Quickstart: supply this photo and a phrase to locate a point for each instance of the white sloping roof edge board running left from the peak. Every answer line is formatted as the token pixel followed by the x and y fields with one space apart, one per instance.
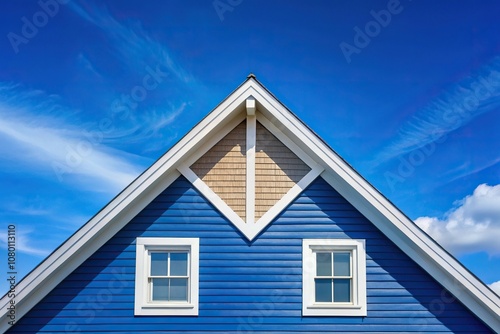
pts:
pixel 119 211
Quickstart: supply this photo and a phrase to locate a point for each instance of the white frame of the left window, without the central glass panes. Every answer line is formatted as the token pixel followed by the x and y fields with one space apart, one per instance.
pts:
pixel 143 305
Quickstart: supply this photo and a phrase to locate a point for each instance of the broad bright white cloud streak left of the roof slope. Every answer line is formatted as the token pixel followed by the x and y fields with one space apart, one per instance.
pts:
pixel 35 136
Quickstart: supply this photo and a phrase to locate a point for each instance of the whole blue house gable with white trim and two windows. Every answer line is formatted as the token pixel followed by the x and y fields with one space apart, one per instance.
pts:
pixel 250 224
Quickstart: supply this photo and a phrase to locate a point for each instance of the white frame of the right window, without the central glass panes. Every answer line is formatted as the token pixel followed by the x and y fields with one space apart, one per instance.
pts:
pixel 357 306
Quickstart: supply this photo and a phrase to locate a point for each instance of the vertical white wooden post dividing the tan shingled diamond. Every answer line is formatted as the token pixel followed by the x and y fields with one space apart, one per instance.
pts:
pixel 250 172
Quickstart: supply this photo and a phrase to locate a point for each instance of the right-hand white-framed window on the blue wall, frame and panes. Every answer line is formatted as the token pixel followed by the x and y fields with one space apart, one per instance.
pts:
pixel 333 277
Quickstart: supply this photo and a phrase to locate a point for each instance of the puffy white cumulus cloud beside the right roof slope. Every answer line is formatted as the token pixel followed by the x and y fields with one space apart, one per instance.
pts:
pixel 473 225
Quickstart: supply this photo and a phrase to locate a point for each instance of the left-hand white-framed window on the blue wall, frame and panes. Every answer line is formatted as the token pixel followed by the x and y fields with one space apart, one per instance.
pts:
pixel 166 281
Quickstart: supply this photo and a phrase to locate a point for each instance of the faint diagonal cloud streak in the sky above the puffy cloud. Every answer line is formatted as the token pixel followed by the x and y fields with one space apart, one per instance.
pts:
pixel 457 106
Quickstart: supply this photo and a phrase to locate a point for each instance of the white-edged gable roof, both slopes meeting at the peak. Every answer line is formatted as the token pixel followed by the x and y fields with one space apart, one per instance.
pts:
pixel 250 95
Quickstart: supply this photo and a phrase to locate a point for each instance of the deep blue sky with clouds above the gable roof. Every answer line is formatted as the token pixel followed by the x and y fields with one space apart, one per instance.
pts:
pixel 408 92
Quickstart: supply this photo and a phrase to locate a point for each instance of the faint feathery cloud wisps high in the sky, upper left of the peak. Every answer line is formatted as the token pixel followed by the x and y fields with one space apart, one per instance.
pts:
pixel 137 110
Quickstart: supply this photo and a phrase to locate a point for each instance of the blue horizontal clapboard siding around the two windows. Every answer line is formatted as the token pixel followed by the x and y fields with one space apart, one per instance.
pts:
pixel 248 287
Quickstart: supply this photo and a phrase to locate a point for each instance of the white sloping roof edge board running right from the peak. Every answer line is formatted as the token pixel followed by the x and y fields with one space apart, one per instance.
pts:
pixel 384 215
